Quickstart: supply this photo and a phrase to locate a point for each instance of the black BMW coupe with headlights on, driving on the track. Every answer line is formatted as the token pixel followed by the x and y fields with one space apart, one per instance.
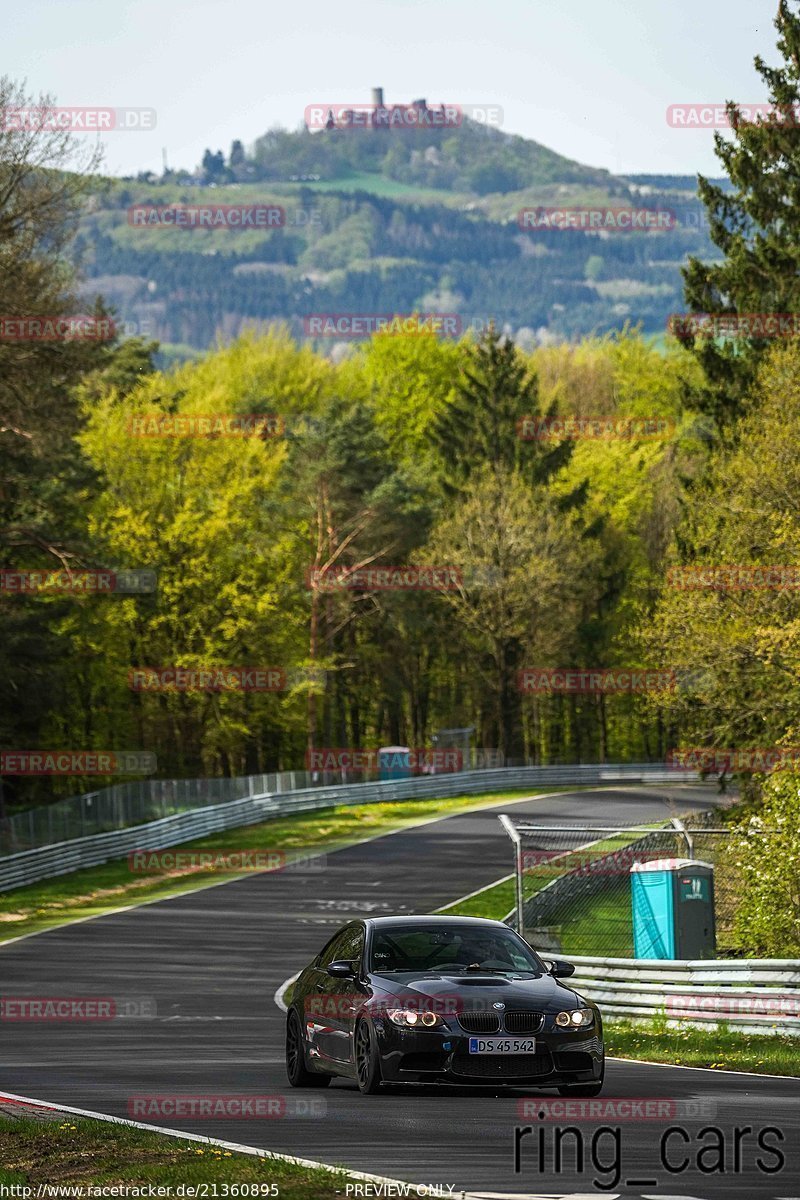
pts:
pixel 460 1000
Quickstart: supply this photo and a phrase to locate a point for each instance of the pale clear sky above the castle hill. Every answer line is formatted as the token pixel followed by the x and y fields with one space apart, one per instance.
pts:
pixel 590 79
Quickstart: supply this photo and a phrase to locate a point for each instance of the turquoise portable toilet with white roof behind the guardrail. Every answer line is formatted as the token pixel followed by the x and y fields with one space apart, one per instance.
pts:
pixel 672 902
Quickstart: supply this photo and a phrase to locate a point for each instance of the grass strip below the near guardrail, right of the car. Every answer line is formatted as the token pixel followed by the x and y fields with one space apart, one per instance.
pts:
pixel 724 1048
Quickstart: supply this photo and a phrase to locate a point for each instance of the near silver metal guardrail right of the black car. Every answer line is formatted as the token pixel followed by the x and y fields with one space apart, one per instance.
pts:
pixel 703 992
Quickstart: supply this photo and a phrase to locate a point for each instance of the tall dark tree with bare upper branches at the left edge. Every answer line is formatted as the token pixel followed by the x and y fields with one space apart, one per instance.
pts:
pixel 45 179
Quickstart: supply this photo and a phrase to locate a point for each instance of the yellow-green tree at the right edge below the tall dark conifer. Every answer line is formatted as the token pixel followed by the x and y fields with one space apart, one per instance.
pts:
pixel 741 645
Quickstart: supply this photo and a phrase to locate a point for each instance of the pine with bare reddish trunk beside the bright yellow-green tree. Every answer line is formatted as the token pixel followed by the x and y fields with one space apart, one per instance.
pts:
pixel 357 508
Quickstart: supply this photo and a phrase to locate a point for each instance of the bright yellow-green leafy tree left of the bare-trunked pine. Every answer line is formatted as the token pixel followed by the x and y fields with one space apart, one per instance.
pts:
pixel 206 513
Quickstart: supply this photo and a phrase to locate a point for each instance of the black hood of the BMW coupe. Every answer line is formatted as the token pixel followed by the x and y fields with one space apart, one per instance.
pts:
pixel 479 991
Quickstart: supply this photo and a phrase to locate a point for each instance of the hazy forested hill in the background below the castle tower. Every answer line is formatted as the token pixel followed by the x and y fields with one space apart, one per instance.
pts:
pixel 388 221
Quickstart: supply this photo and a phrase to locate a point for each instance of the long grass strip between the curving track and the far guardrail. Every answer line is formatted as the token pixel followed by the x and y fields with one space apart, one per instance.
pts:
pixel 100 890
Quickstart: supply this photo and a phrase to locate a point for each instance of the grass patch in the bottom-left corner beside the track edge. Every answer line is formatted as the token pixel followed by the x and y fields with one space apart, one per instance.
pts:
pixel 79 1153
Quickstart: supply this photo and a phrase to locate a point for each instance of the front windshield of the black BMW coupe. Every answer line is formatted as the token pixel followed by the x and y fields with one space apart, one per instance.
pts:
pixel 452 949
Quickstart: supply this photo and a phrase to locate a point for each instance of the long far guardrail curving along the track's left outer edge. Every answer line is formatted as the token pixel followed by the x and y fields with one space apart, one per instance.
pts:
pixel 61 859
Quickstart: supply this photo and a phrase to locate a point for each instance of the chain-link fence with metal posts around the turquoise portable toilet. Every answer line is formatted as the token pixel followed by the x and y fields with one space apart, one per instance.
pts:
pixel 574 883
